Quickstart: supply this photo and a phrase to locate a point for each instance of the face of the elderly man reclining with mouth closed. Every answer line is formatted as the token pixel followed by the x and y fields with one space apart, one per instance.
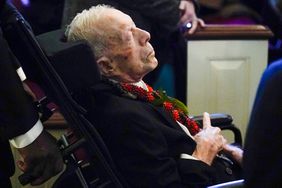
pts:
pixel 131 54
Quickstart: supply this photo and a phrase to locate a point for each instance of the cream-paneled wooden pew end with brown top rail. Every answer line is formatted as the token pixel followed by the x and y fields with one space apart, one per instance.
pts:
pixel 225 63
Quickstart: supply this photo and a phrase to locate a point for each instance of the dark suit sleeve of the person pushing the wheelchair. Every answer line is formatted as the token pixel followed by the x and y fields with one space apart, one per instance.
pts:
pixel 17 113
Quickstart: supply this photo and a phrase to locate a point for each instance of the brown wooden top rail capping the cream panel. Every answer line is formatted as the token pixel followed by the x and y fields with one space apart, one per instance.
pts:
pixel 222 32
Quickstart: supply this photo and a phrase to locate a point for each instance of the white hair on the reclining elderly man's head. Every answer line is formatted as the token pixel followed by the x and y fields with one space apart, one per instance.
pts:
pixel 85 26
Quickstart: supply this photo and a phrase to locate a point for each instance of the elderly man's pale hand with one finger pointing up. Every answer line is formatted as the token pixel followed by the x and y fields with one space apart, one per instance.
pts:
pixel 209 141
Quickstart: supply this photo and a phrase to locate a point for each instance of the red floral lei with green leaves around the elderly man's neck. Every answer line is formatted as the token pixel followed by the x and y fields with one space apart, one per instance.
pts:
pixel 174 107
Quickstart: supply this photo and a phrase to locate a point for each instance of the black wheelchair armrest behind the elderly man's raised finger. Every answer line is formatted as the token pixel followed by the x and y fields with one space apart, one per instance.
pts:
pixel 224 122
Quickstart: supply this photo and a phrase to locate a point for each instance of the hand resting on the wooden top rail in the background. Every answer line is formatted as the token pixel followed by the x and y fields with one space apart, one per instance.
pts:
pixel 188 14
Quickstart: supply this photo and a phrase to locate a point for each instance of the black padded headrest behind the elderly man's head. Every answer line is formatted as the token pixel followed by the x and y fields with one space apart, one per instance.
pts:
pixel 74 61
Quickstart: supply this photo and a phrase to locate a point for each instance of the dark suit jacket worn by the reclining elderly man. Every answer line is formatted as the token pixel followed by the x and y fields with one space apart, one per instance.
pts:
pixel 146 143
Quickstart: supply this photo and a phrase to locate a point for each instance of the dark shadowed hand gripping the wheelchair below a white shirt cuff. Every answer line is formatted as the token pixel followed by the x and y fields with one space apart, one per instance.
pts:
pixel 41 159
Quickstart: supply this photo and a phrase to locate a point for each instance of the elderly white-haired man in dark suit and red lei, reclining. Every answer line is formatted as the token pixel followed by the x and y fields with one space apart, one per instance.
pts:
pixel 150 137
